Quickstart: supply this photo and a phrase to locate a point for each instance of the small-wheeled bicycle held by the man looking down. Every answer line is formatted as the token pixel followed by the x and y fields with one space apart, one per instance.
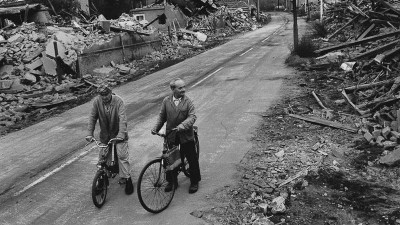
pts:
pixel 105 171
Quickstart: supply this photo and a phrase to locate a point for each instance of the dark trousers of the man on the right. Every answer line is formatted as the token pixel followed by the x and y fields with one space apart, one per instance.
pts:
pixel 188 150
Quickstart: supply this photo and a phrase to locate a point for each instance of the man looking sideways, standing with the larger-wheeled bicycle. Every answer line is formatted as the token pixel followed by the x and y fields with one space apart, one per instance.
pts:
pixel 177 111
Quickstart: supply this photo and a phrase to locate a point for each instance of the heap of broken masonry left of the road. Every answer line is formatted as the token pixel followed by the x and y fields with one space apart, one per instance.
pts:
pixel 34 58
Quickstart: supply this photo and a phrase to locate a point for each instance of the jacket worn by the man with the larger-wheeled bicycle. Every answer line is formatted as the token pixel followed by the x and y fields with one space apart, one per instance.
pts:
pixel 182 115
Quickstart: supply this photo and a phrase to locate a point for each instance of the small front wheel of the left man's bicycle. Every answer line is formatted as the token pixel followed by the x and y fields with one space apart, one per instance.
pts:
pixel 99 188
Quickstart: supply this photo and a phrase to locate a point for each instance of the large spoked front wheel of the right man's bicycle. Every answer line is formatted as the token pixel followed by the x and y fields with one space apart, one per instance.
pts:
pixel 150 188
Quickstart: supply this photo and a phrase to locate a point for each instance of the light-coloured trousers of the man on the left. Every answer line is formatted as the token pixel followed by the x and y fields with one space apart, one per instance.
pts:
pixel 123 158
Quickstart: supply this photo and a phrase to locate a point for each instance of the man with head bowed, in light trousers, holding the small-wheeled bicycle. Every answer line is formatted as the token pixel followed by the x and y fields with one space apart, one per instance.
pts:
pixel 109 109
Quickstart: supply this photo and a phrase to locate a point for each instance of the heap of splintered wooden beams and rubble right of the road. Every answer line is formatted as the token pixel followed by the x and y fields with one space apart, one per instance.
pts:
pixel 362 54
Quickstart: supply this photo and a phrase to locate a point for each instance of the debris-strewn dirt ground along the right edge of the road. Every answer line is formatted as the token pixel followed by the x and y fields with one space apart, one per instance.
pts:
pixel 340 183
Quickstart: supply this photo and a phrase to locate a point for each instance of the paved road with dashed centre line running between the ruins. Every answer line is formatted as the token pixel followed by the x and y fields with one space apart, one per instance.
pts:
pixel 46 172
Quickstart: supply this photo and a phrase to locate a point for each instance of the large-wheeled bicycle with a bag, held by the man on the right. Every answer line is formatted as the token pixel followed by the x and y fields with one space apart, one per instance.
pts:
pixel 152 179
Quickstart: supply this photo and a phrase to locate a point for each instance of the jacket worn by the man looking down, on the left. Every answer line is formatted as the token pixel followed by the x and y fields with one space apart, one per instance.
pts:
pixel 116 126
